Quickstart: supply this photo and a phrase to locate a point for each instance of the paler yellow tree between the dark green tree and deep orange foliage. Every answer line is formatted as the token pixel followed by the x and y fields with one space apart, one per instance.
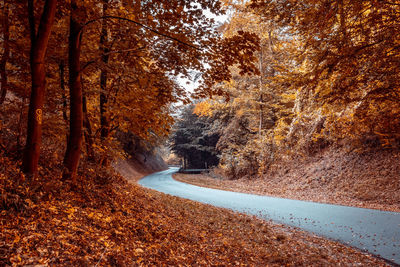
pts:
pixel 258 110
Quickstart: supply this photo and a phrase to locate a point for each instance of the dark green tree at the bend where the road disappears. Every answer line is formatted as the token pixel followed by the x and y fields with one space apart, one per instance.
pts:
pixel 194 140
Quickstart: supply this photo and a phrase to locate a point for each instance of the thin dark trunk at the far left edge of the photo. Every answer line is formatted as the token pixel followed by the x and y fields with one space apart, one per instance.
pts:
pixel 6 53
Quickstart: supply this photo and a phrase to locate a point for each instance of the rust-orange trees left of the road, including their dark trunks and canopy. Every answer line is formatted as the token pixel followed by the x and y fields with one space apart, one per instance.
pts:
pixel 102 67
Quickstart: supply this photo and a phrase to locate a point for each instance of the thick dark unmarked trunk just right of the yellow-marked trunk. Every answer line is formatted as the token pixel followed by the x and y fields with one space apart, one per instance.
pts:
pixel 73 152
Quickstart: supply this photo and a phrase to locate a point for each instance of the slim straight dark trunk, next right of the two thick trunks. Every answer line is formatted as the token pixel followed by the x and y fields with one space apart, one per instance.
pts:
pixel 104 119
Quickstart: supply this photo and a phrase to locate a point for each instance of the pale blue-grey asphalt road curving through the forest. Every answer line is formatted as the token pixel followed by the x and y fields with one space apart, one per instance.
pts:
pixel 377 232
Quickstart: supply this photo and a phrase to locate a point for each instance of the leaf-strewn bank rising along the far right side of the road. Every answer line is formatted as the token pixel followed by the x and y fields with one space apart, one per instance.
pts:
pixel 367 180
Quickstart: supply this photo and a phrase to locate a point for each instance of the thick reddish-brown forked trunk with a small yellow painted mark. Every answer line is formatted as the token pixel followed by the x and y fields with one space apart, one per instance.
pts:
pixel 39 43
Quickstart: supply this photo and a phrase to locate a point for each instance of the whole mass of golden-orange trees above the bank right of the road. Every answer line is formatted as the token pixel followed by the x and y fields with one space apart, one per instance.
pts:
pixel 327 73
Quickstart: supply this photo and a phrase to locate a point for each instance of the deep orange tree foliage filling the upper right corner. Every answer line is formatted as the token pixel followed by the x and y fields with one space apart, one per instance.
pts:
pixel 349 62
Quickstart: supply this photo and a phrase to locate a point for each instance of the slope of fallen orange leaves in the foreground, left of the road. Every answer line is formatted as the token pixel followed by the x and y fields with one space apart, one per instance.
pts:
pixel 104 220
